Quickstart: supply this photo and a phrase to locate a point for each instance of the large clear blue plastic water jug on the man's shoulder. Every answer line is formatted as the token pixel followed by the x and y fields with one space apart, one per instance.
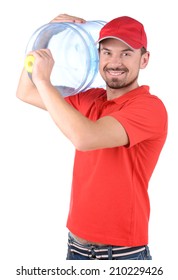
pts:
pixel 75 53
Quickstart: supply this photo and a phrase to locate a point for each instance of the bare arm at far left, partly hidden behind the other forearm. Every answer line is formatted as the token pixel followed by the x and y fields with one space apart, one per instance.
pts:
pixel 27 91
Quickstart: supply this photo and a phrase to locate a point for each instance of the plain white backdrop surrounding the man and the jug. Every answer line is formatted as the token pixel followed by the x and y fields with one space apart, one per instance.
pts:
pixel 35 158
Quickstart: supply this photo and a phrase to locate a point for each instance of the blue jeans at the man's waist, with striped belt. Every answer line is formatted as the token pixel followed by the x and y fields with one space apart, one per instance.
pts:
pixel 78 251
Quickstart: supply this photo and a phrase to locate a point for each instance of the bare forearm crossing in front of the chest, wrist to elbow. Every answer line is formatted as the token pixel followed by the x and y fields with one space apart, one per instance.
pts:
pixel 72 123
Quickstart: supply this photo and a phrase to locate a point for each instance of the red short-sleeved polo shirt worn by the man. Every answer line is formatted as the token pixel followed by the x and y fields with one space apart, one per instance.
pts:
pixel 109 198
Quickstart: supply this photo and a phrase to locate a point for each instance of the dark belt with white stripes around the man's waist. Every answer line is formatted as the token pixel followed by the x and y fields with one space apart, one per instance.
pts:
pixel 102 252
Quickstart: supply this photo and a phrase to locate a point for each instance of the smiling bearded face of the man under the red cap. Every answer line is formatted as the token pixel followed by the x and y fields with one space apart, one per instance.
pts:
pixel 120 65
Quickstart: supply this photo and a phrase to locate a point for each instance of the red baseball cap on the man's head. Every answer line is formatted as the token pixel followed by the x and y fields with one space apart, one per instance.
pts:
pixel 126 29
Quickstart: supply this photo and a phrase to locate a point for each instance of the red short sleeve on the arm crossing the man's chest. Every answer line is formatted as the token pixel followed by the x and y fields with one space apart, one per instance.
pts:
pixel 143 118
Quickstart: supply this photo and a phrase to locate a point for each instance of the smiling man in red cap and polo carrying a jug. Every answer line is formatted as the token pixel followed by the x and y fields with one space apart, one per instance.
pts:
pixel 118 134
